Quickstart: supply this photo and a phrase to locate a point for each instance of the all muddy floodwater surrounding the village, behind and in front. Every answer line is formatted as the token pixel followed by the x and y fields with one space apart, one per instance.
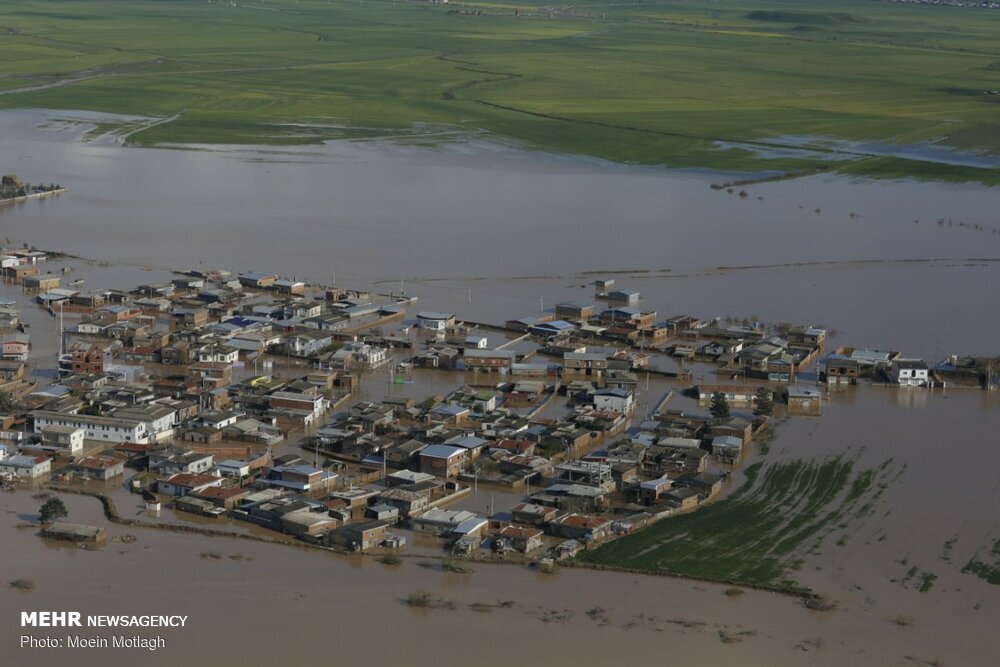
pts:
pixel 523 231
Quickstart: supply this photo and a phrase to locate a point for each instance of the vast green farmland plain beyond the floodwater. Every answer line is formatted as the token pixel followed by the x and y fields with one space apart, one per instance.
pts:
pixel 647 83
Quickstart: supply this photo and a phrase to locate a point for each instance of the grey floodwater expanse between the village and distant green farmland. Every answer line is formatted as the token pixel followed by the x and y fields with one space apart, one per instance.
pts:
pixel 492 232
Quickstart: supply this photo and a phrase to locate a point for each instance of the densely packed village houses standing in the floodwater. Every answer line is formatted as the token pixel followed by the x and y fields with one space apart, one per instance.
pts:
pixel 155 392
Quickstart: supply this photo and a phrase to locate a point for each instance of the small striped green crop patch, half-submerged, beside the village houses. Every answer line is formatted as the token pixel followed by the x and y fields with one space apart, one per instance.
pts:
pixel 759 534
